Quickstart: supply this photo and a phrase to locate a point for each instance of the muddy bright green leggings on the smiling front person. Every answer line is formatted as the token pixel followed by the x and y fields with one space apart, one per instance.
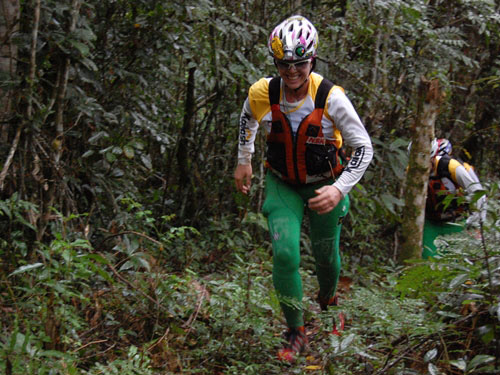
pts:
pixel 284 208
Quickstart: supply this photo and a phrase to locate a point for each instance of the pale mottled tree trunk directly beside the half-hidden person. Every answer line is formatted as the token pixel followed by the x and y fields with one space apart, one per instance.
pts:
pixel 429 98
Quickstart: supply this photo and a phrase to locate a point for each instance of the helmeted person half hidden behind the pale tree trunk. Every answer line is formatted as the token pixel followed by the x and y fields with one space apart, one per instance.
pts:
pixel 449 175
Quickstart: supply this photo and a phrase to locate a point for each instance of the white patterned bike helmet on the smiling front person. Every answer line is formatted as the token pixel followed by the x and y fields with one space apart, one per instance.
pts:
pixel 293 39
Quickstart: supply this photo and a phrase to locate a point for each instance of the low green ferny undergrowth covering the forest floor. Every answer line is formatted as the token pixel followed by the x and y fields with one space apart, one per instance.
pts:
pixel 186 301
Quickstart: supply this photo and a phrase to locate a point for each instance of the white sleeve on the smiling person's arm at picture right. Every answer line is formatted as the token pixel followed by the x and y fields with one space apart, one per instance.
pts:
pixel 354 135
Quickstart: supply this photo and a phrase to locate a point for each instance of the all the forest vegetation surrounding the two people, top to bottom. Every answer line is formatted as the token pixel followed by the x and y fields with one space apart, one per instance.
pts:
pixel 124 247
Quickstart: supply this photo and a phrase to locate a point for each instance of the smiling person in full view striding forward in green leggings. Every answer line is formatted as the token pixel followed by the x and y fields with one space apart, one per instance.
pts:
pixel 307 120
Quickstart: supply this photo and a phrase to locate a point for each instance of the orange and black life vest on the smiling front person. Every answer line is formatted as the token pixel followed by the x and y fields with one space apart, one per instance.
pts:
pixel 308 153
